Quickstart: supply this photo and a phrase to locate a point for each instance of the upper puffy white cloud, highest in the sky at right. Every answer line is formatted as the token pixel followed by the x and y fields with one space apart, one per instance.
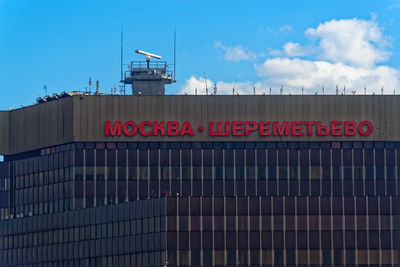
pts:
pixel 351 41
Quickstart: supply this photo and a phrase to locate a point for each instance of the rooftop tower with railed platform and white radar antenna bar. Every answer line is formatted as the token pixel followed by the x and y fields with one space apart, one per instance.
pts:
pixel 148 78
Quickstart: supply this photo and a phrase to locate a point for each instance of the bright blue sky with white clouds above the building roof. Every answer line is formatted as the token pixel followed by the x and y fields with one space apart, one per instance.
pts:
pixel 262 44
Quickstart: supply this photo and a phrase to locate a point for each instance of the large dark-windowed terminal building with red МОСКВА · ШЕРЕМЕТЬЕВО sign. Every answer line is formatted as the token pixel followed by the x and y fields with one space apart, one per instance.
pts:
pixel 156 180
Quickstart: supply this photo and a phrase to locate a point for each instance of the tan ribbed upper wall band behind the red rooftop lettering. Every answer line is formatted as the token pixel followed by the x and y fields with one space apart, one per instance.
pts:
pixel 83 118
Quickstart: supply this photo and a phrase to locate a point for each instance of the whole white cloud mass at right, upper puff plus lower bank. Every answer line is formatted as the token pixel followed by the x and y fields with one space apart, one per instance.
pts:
pixel 348 52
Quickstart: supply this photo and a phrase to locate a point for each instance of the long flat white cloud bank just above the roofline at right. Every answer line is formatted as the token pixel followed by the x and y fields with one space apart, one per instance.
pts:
pixel 296 72
